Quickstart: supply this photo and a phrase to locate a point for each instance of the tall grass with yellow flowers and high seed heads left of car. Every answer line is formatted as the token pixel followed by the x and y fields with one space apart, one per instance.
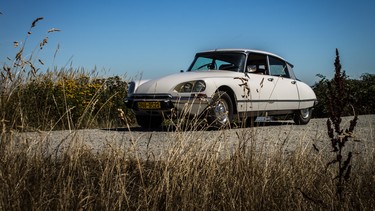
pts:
pixel 34 97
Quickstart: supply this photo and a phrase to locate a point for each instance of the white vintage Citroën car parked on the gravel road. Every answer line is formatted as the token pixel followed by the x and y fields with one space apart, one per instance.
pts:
pixel 222 86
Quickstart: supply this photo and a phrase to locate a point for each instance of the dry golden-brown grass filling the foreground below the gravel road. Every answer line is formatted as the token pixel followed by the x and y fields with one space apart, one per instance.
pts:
pixel 193 175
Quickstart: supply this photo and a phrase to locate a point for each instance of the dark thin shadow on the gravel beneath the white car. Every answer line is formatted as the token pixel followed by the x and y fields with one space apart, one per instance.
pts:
pixel 174 129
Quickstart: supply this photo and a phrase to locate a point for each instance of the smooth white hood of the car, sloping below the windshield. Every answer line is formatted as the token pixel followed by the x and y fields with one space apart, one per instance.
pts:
pixel 168 83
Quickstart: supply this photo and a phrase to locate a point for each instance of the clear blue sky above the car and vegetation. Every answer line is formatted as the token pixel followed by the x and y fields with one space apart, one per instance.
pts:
pixel 157 38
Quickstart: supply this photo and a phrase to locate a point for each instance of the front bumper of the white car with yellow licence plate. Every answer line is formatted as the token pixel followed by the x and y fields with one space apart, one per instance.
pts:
pixel 194 104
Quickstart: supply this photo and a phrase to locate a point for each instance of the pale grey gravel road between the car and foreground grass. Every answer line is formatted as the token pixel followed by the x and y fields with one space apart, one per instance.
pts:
pixel 270 135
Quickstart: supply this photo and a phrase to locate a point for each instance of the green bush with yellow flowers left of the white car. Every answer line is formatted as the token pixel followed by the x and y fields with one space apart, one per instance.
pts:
pixel 66 100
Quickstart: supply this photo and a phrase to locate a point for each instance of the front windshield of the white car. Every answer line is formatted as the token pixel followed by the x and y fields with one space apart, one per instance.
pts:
pixel 218 61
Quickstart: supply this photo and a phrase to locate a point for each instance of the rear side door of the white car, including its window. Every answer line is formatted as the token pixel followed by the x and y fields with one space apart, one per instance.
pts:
pixel 285 84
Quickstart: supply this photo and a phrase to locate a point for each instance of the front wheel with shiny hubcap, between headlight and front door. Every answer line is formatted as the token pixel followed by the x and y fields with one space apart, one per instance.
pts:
pixel 220 114
